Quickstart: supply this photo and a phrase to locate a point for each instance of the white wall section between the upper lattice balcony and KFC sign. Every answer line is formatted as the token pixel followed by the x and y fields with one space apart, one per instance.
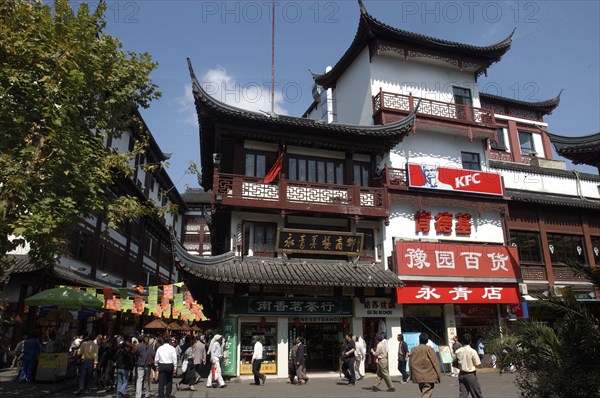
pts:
pixel 435 149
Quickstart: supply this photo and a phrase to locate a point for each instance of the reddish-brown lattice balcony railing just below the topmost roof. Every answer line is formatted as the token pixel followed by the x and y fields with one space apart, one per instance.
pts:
pixel 391 102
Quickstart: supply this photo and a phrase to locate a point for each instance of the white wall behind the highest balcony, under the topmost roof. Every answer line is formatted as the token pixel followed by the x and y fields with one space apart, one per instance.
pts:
pixel 434 82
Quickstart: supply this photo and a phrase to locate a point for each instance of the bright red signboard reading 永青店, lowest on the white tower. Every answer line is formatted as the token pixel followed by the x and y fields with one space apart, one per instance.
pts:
pixel 457 293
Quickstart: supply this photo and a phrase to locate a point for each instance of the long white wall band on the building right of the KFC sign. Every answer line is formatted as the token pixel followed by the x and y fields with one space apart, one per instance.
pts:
pixel 549 184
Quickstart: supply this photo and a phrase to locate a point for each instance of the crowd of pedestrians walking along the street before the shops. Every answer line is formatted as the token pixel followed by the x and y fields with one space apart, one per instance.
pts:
pixel 111 363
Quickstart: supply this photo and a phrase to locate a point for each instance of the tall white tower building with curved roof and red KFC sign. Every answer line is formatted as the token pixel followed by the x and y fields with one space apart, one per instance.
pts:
pixel 447 232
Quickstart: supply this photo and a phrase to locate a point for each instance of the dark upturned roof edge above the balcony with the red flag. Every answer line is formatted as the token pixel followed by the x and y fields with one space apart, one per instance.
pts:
pixel 210 103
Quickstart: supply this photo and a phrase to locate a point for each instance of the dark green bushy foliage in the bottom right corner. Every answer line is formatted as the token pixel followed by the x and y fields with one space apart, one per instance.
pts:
pixel 555 363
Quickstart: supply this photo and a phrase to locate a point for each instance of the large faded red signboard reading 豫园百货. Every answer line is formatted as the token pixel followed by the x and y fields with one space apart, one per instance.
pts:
pixel 451 259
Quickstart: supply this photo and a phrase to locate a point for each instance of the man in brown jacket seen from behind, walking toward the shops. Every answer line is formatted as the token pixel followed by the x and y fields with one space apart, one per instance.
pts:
pixel 424 366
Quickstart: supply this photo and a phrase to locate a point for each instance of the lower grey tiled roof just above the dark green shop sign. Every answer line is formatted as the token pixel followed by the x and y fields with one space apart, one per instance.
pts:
pixel 228 268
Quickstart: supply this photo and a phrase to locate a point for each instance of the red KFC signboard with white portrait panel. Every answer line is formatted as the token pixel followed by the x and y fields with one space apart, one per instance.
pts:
pixel 453 179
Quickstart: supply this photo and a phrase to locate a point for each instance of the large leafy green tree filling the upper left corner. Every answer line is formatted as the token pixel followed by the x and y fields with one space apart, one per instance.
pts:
pixel 66 89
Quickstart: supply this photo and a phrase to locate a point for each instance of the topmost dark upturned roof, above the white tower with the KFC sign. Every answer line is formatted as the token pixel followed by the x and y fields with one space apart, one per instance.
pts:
pixel 370 28
